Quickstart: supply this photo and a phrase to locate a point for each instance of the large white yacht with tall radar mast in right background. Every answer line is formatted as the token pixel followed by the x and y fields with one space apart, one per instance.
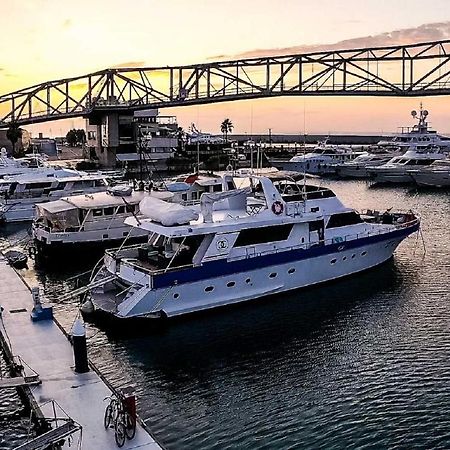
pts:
pixel 420 135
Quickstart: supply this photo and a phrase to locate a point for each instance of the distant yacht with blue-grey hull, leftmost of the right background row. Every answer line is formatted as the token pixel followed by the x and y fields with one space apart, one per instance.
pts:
pixel 321 160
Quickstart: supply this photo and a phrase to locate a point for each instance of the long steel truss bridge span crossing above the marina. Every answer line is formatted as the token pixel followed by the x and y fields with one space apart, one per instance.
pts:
pixel 421 69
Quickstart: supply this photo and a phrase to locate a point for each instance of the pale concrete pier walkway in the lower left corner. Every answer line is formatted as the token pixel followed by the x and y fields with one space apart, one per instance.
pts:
pixel 44 347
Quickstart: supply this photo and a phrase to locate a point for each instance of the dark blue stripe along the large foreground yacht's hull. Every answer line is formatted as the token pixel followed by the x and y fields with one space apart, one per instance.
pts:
pixel 222 267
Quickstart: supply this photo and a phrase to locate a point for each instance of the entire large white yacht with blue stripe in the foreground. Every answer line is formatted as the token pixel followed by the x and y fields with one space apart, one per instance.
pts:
pixel 273 236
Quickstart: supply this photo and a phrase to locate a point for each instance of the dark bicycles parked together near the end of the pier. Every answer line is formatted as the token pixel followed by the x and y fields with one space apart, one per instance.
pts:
pixel 124 423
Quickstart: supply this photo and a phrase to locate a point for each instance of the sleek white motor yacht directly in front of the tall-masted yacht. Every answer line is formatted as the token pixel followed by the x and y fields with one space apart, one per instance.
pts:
pixel 396 169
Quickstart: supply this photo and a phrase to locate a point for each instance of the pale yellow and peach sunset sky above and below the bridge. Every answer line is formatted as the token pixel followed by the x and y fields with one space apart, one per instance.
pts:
pixel 51 39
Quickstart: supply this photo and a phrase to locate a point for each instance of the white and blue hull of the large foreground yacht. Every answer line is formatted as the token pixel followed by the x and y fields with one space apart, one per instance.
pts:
pixel 249 279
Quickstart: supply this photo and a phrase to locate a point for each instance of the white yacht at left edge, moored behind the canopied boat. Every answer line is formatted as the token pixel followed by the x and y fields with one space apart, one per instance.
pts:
pixel 19 194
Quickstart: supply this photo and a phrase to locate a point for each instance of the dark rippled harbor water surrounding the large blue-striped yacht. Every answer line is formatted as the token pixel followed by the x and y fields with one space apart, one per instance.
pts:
pixel 360 363
